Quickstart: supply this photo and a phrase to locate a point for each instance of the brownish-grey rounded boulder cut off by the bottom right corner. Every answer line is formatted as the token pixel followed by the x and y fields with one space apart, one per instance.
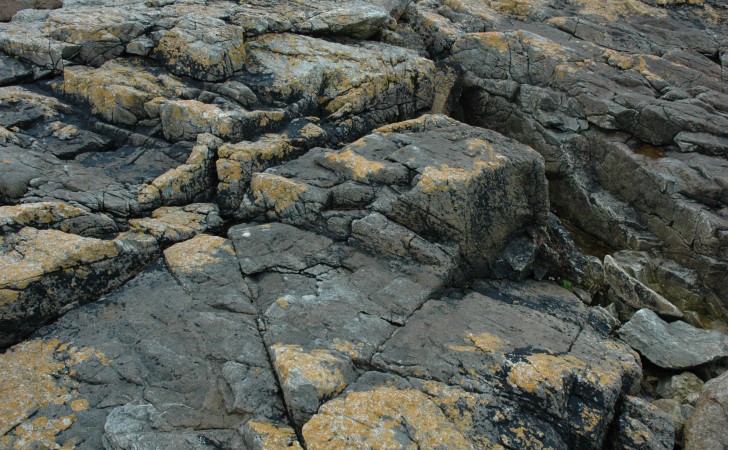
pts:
pixel 706 429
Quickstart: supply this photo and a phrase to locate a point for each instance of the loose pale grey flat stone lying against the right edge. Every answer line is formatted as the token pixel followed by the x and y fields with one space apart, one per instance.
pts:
pixel 675 345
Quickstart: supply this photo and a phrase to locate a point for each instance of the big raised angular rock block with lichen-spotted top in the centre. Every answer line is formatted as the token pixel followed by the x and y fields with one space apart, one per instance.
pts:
pixel 445 181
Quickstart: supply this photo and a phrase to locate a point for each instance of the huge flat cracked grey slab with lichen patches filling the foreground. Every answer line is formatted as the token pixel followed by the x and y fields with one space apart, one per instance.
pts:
pixel 238 343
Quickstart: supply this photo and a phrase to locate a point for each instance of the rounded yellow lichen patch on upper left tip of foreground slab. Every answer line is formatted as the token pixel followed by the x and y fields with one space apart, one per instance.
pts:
pixel 190 256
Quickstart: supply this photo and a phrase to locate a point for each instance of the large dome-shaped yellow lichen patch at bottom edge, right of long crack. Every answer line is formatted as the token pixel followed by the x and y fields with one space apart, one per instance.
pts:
pixel 384 417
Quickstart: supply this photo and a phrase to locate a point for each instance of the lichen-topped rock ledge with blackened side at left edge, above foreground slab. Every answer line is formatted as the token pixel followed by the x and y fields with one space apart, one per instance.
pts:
pixel 46 271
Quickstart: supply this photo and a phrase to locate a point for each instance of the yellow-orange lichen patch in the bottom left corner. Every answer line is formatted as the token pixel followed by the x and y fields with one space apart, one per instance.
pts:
pixel 34 375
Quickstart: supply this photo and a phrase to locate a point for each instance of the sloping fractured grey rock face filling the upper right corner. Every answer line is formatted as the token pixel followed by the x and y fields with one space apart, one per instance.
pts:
pixel 626 101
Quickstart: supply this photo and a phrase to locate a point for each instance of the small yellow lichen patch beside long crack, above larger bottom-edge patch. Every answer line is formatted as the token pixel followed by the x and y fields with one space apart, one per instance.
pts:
pixel 318 368
